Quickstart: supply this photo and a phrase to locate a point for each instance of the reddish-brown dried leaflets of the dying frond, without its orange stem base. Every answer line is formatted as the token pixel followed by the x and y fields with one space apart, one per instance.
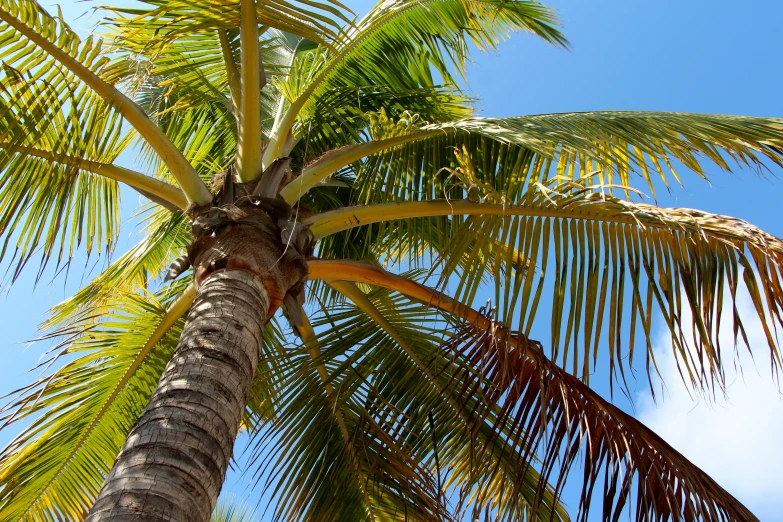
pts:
pixel 562 419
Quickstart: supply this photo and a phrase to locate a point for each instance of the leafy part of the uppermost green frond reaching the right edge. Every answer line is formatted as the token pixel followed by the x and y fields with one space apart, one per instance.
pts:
pixel 631 149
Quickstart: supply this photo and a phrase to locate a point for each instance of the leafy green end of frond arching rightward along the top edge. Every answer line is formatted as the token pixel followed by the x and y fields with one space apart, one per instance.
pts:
pixel 404 31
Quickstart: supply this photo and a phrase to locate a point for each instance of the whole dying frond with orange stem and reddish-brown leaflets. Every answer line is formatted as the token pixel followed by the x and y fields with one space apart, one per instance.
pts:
pixel 556 417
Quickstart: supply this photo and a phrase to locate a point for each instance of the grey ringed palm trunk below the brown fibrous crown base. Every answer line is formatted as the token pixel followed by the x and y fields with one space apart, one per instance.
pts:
pixel 174 461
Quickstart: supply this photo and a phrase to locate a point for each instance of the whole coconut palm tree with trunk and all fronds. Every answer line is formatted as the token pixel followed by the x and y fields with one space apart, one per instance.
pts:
pixel 329 166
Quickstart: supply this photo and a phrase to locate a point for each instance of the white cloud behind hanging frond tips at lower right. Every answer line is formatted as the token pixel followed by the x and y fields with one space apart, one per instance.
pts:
pixel 737 439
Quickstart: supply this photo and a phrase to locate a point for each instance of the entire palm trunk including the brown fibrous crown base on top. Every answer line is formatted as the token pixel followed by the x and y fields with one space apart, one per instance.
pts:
pixel 248 256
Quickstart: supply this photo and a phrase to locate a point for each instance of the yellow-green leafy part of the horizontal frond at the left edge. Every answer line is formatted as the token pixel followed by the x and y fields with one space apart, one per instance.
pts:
pixel 47 200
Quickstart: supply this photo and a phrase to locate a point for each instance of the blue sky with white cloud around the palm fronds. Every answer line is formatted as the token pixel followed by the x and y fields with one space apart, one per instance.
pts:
pixel 695 56
